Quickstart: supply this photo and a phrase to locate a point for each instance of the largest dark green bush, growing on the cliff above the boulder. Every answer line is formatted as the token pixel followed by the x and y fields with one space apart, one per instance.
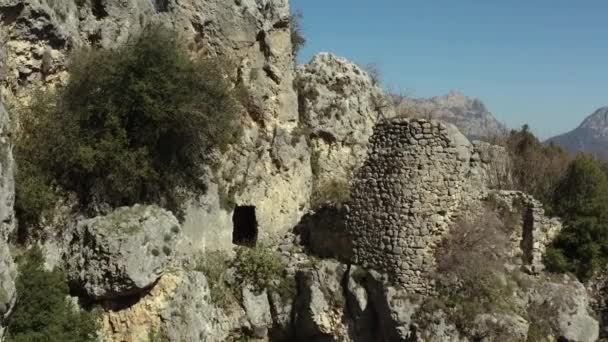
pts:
pixel 135 124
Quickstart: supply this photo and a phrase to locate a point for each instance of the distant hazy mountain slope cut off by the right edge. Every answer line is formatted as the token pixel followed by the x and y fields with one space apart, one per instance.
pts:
pixel 590 137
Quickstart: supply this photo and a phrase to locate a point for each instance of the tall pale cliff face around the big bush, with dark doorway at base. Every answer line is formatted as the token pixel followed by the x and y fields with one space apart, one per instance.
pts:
pixel 252 36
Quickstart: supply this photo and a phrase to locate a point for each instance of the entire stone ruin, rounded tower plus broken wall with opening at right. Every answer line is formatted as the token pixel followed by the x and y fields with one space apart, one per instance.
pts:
pixel 419 175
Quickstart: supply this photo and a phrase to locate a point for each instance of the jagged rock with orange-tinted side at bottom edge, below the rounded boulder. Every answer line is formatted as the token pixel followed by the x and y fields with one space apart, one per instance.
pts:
pixel 178 308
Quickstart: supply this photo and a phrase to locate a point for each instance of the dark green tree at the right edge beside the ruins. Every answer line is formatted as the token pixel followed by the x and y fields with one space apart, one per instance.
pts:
pixel 581 199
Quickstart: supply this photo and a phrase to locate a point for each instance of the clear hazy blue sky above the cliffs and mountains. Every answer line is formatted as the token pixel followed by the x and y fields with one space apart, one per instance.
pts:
pixel 542 62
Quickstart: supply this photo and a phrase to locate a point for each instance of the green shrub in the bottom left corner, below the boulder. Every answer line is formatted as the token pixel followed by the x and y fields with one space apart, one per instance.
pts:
pixel 42 312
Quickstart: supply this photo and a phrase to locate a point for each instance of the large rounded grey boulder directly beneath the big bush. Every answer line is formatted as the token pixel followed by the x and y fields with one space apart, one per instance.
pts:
pixel 122 253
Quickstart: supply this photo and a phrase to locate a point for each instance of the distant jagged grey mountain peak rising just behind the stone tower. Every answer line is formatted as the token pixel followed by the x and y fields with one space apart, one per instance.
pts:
pixel 470 115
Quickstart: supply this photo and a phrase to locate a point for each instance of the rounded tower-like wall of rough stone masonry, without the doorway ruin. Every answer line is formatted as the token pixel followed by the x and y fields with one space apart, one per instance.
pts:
pixel 404 196
